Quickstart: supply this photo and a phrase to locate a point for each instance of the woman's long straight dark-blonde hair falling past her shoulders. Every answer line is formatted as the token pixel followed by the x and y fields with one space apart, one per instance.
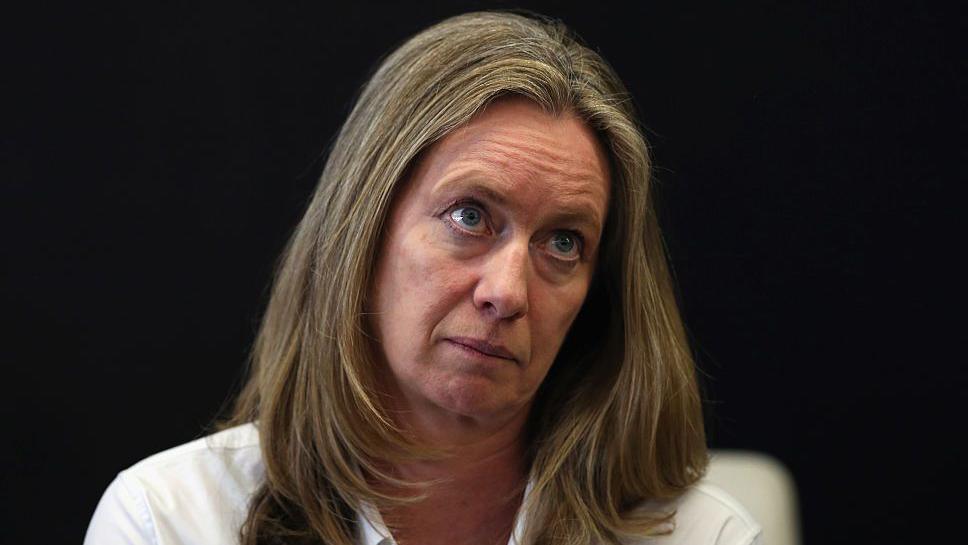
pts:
pixel 618 419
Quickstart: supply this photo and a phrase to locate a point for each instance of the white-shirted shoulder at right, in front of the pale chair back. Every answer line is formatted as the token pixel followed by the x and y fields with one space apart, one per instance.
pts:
pixel 706 514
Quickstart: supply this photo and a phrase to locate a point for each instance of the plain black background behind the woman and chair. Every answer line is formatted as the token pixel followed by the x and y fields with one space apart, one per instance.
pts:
pixel 156 159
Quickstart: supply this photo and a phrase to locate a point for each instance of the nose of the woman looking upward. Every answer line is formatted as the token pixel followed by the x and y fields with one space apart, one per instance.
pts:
pixel 502 289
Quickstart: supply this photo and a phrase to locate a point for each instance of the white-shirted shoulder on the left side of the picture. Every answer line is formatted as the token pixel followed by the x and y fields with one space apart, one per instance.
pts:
pixel 197 492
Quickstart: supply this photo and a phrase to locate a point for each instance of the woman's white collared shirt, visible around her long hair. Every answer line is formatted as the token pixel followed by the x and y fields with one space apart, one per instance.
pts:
pixel 198 494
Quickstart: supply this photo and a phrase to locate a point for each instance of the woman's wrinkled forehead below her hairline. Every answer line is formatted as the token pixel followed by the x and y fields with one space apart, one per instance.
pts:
pixel 516 150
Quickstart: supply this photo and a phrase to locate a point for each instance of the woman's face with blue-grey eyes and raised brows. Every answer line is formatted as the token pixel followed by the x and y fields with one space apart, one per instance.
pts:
pixel 488 255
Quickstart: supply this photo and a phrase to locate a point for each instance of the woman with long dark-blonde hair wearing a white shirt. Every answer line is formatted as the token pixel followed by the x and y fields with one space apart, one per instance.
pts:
pixel 472 337
